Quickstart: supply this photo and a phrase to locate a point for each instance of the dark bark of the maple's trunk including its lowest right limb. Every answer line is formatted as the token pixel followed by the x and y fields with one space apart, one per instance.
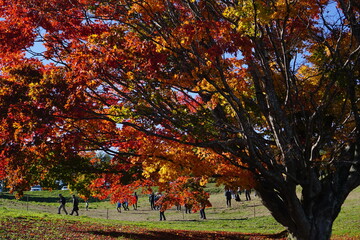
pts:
pixel 312 216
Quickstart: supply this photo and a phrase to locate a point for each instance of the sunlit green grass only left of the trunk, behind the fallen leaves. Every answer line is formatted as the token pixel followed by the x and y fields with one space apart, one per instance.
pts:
pixel 221 219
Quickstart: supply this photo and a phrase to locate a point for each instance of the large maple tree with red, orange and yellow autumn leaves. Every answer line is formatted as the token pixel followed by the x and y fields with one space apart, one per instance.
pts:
pixel 253 93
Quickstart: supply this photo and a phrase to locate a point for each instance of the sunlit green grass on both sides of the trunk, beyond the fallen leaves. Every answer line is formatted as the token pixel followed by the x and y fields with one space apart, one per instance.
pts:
pixel 244 217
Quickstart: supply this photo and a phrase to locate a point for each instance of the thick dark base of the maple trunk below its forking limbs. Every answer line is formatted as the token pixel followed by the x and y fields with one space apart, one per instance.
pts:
pixel 305 220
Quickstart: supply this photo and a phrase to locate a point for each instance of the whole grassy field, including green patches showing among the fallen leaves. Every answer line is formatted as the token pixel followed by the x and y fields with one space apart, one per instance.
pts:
pixel 246 217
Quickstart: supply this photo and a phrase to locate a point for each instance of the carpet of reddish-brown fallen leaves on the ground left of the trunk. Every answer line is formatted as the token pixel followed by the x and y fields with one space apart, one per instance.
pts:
pixel 33 228
